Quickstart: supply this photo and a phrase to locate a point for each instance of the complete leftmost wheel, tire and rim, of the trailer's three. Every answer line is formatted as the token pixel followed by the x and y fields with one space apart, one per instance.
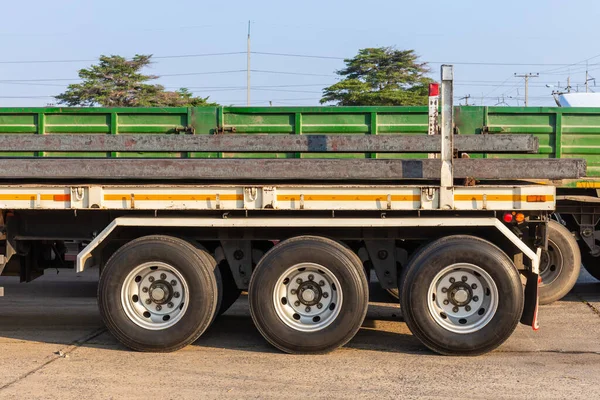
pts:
pixel 158 293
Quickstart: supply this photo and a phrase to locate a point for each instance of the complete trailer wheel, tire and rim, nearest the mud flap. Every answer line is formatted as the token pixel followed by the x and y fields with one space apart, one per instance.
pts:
pixel 461 295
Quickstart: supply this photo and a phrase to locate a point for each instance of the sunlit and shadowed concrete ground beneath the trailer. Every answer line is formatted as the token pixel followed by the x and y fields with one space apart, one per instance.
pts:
pixel 53 345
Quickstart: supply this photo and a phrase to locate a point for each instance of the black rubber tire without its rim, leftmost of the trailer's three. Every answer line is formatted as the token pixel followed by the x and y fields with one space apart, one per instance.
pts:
pixel 196 270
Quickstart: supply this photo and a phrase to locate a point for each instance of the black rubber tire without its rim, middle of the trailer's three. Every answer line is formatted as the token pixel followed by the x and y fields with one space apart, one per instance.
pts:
pixel 341 261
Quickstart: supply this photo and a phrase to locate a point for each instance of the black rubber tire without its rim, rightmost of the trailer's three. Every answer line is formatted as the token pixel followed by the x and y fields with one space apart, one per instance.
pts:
pixel 428 262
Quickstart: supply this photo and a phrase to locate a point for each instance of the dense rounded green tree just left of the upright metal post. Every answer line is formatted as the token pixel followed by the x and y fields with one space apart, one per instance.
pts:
pixel 381 76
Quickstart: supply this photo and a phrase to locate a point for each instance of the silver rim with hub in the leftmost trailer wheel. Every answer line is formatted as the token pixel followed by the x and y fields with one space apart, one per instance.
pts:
pixel 154 295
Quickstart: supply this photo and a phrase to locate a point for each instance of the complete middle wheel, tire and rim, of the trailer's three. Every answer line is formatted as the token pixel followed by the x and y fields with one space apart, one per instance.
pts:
pixel 308 295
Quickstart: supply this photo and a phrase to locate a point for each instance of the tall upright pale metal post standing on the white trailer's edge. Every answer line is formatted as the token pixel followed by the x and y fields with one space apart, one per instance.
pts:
pixel 446 153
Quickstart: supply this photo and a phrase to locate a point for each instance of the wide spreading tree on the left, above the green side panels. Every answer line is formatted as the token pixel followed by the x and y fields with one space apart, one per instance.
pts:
pixel 118 82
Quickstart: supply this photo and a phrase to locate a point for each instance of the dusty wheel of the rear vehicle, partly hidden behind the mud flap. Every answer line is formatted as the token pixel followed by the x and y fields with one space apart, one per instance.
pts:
pixel 559 265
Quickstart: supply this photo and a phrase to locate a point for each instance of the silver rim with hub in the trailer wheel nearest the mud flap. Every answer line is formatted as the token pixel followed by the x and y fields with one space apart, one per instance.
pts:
pixel 463 298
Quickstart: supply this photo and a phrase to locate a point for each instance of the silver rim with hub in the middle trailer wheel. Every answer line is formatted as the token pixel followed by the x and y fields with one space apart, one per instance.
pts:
pixel 307 297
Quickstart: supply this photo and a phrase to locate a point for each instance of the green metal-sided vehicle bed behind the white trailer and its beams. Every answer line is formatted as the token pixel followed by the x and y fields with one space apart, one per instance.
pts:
pixel 561 133
